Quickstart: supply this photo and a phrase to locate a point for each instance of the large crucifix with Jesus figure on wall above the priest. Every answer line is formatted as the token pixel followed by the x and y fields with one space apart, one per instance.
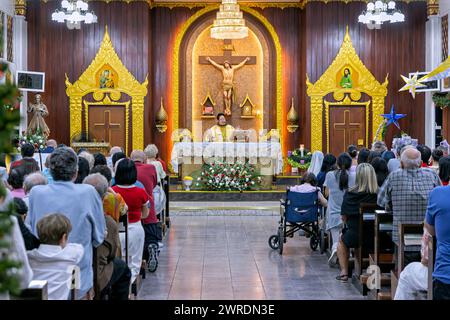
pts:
pixel 227 64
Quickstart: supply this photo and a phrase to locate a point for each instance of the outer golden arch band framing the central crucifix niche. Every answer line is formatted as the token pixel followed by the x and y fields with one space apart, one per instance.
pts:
pixel 176 54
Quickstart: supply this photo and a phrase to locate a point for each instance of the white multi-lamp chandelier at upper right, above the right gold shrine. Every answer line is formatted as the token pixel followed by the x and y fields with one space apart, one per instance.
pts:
pixel 379 12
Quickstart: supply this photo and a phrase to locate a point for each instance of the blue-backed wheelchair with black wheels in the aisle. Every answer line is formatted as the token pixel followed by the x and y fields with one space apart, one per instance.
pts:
pixel 300 211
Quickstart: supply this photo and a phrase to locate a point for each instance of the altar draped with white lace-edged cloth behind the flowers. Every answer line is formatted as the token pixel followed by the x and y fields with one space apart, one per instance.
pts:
pixel 188 158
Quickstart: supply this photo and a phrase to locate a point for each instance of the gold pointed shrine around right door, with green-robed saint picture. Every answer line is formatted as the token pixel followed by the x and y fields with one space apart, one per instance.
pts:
pixel 346 88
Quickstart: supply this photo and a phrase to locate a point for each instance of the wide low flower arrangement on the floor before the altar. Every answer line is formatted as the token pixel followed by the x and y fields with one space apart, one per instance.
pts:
pixel 221 176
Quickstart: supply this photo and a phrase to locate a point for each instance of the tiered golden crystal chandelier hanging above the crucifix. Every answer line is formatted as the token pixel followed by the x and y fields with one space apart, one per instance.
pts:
pixel 229 23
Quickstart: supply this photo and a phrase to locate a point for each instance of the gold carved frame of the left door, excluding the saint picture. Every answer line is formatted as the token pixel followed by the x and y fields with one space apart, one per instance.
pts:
pixel 125 83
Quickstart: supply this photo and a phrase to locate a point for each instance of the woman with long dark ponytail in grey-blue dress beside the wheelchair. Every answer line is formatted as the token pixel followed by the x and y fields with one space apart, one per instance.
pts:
pixel 336 183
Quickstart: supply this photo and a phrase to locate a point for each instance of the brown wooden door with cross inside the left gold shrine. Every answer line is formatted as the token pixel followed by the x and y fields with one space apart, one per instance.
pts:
pixel 107 124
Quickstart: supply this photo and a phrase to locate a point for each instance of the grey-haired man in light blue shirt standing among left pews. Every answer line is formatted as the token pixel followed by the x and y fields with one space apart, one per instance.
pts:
pixel 78 202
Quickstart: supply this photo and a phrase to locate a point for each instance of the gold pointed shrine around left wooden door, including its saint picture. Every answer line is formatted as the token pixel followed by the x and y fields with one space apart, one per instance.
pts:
pixel 107 84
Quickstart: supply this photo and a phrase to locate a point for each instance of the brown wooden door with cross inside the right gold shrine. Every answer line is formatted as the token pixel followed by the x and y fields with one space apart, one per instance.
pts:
pixel 347 126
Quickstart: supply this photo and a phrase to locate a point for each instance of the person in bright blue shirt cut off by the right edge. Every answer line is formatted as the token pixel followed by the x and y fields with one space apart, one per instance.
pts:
pixel 437 222
